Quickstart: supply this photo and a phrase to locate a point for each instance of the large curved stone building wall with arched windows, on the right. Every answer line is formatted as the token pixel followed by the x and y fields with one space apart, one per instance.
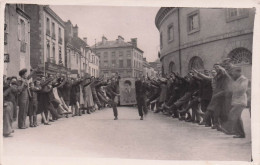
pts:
pixel 189 38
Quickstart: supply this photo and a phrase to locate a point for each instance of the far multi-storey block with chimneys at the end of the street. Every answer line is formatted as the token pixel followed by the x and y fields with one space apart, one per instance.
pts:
pixel 120 57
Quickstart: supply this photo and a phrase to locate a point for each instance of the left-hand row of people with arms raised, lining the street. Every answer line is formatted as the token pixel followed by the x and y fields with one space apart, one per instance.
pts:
pixel 53 97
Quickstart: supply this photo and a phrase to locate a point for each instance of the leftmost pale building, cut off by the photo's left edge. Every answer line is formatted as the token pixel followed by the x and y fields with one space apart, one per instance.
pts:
pixel 16 39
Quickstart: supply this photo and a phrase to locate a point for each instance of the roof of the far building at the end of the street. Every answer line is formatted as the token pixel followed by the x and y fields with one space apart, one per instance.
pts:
pixel 114 44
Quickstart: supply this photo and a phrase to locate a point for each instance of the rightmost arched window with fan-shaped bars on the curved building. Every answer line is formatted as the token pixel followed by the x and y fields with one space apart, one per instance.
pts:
pixel 240 56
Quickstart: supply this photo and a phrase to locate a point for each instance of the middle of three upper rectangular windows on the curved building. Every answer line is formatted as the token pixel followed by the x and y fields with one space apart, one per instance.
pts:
pixel 193 22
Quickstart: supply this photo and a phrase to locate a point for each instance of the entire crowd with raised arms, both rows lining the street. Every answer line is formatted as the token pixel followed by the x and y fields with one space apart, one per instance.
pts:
pixel 213 98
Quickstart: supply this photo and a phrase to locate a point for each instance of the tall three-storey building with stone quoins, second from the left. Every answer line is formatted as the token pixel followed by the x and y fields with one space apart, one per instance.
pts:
pixel 47 39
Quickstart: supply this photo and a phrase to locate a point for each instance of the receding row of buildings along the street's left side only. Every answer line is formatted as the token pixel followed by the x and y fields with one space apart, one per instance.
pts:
pixel 35 36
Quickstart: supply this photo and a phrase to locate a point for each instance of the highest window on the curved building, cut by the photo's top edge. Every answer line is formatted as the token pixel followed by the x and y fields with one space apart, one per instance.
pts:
pixel 236 13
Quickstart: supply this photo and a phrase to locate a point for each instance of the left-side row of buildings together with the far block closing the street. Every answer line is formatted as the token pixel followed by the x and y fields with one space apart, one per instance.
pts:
pixel 35 36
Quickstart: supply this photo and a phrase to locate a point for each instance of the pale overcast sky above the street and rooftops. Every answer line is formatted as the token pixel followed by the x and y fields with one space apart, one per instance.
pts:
pixel 129 22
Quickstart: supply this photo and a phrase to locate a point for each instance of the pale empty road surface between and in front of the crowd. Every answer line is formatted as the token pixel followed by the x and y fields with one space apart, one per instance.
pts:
pixel 157 137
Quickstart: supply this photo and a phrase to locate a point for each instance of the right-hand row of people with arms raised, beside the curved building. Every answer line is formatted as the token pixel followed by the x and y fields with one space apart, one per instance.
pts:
pixel 213 98
